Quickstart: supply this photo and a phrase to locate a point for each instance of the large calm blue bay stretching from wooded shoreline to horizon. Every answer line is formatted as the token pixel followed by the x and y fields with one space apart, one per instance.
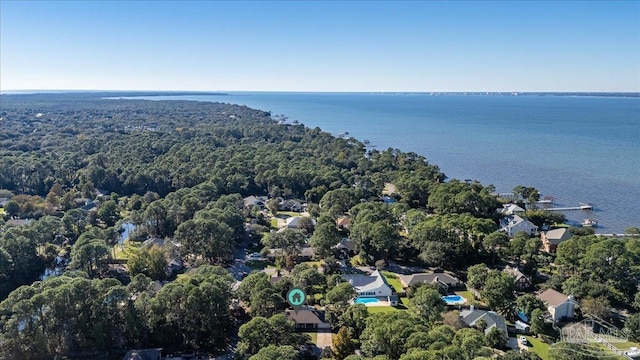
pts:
pixel 577 149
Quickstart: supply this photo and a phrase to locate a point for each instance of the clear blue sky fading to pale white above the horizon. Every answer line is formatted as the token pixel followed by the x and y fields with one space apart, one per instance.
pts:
pixel 320 46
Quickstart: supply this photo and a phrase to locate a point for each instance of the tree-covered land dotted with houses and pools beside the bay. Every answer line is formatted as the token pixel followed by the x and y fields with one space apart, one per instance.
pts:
pixel 169 229
